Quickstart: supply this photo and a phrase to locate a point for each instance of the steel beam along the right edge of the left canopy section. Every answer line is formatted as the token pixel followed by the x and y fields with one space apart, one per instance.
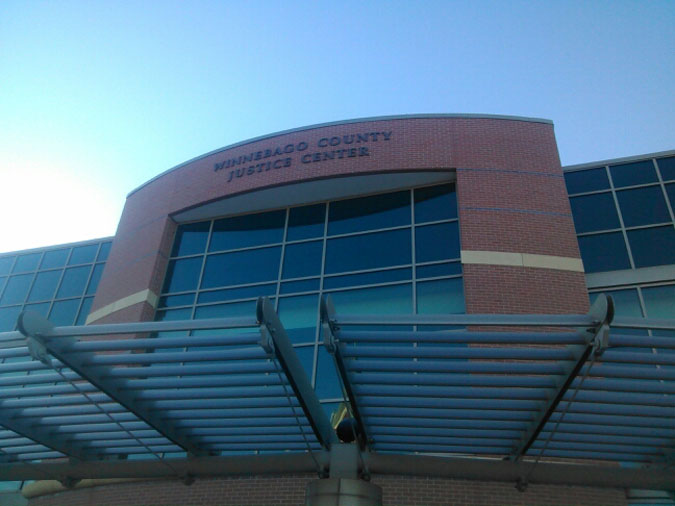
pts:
pixel 281 347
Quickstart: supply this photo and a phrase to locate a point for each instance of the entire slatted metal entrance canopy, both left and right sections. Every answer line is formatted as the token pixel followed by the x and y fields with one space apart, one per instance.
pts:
pixel 574 399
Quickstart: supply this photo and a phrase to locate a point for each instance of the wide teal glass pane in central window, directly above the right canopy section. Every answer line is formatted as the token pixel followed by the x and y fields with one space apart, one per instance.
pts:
pixel 396 299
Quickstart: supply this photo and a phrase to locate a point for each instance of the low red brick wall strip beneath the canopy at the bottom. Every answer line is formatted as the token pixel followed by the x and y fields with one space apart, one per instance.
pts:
pixel 290 490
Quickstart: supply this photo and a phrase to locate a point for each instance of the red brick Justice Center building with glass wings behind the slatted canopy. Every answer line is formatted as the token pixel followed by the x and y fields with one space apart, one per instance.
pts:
pixel 424 214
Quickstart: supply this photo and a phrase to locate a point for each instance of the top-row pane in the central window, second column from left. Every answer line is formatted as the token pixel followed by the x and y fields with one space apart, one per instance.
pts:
pixel 248 230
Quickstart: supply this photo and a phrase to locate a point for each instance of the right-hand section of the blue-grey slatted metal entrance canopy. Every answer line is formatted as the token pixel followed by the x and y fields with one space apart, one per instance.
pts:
pixel 570 387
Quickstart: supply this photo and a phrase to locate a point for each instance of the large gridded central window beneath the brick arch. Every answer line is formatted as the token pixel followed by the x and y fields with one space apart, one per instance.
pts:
pixel 389 253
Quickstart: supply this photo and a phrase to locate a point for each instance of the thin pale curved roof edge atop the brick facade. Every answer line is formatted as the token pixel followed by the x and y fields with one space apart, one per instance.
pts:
pixel 341 122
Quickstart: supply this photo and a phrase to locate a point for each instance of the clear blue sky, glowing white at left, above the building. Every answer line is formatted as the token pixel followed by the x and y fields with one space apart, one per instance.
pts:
pixel 98 97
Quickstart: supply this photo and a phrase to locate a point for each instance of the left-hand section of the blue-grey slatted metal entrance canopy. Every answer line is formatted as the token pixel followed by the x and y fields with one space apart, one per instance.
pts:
pixel 233 387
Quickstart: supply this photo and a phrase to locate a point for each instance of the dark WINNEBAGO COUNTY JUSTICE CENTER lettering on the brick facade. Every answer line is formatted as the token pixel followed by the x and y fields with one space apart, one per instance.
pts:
pixel 337 147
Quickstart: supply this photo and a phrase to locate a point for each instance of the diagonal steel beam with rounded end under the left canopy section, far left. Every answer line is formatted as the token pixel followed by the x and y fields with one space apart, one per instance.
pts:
pixel 36 327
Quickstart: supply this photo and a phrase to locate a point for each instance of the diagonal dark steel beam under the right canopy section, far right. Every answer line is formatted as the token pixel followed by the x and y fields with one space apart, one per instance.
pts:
pixel 602 312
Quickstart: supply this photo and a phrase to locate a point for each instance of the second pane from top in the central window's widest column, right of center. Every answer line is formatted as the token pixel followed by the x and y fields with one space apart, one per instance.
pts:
pixel 368 251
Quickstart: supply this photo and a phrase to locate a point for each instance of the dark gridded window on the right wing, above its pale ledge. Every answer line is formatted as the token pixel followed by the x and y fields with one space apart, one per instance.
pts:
pixel 623 214
